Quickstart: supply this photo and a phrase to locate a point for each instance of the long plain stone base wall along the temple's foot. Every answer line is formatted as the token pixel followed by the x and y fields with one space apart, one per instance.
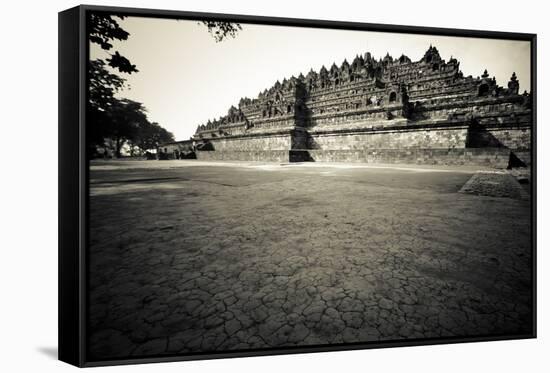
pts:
pixel 438 144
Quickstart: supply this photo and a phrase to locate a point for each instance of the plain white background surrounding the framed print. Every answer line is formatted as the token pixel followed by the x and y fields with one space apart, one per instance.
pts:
pixel 28 194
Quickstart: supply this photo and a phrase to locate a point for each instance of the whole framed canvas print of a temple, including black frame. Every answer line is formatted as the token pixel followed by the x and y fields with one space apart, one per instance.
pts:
pixel 239 186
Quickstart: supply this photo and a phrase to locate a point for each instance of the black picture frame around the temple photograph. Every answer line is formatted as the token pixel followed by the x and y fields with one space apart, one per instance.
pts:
pixel 74 178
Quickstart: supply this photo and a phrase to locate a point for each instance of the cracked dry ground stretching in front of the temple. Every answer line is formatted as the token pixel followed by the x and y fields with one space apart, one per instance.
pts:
pixel 198 259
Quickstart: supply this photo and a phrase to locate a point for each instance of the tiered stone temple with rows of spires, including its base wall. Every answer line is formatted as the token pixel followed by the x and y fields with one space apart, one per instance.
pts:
pixel 388 111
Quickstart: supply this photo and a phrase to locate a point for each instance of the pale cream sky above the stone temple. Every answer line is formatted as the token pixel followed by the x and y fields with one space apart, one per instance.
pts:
pixel 186 78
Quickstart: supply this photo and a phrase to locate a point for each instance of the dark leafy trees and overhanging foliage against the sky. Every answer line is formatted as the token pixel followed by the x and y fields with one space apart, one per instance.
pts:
pixel 114 122
